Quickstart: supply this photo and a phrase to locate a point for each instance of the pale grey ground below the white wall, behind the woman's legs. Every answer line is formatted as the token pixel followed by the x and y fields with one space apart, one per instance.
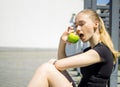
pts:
pixel 18 66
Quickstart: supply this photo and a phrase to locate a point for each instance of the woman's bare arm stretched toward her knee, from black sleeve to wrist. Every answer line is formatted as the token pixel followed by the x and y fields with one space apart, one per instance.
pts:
pixel 80 60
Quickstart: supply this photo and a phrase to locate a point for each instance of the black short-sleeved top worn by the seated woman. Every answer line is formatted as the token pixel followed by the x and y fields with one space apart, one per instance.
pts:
pixel 97 75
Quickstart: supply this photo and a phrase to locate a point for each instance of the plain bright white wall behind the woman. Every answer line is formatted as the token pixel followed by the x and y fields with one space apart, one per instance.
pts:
pixel 35 23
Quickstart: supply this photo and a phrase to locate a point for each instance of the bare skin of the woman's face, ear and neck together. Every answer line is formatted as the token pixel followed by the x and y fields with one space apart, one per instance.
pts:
pixel 88 28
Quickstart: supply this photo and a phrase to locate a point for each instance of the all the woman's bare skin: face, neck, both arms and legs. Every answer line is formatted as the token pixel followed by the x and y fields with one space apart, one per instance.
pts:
pixel 49 75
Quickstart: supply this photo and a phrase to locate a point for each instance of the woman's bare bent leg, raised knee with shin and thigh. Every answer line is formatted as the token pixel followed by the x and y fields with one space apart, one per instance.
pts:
pixel 48 76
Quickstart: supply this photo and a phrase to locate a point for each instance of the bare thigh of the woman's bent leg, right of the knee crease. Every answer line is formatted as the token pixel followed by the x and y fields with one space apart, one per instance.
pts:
pixel 56 78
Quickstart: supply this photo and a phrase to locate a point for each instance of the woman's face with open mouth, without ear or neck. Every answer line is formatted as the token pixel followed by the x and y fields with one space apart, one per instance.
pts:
pixel 84 27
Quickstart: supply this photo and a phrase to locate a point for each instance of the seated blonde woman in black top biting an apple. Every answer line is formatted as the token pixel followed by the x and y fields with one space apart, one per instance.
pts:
pixel 96 62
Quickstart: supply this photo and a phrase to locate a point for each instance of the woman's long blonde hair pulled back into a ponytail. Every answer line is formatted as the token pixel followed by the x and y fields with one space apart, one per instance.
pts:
pixel 104 36
